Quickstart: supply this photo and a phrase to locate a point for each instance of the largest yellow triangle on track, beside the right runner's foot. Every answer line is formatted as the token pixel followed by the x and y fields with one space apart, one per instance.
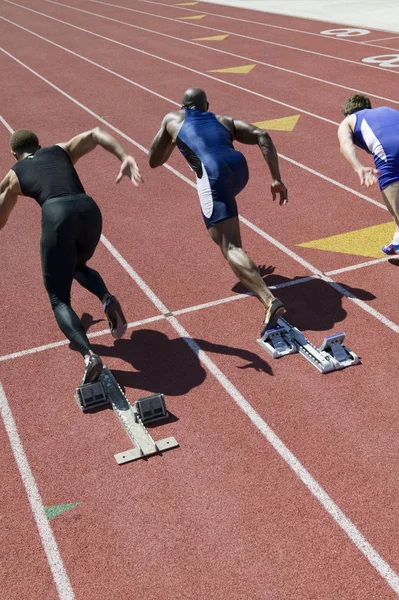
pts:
pixel 362 242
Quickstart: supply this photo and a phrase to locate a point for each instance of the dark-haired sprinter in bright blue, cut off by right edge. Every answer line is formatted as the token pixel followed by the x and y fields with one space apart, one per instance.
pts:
pixel 375 130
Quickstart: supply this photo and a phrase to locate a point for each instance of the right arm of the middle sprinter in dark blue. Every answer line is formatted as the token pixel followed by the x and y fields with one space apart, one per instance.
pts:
pixel 246 133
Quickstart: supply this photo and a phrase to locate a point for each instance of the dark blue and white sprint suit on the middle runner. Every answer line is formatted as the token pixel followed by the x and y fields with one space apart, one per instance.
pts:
pixel 221 171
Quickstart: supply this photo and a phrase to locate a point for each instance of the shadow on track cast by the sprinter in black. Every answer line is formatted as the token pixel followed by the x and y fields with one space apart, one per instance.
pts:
pixel 168 365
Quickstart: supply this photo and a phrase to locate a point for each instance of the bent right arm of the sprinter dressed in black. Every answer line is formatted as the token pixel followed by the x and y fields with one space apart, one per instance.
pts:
pixel 85 142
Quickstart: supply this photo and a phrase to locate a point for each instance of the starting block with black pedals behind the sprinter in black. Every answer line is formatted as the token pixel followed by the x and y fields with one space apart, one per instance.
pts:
pixel 106 391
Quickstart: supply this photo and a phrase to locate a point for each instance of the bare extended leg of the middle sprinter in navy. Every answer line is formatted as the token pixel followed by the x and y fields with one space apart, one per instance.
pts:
pixel 226 235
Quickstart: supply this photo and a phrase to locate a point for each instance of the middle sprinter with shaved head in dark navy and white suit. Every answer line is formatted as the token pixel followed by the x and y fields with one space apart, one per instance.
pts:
pixel 206 141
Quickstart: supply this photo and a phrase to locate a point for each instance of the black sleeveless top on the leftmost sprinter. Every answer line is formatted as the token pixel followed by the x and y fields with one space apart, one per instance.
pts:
pixel 48 173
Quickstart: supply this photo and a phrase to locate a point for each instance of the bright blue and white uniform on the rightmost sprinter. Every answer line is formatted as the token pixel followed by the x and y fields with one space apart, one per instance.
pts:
pixel 377 132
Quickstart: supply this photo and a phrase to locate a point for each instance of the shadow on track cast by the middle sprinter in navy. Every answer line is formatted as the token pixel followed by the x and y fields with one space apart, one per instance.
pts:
pixel 314 305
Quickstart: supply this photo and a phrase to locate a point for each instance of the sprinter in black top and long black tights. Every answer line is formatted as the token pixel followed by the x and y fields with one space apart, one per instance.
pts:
pixel 71 225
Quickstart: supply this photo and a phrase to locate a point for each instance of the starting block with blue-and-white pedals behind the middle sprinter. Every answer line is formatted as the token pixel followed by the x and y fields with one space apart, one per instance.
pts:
pixel 286 339
